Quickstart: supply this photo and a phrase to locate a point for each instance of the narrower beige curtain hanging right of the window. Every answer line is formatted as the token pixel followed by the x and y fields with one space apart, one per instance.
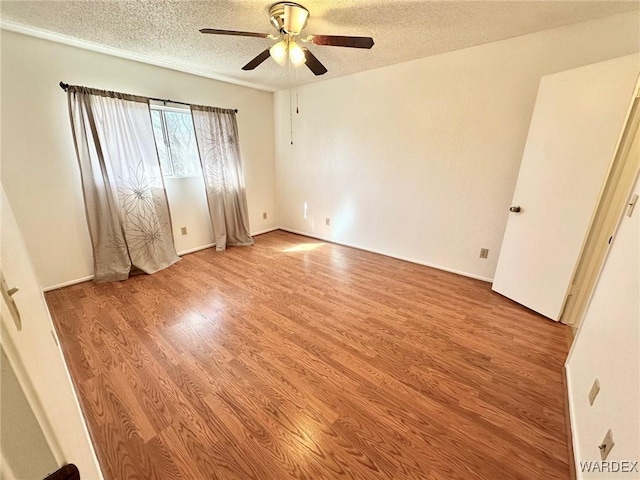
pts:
pixel 217 135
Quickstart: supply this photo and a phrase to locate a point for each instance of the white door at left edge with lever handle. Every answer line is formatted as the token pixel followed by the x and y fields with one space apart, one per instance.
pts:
pixel 32 349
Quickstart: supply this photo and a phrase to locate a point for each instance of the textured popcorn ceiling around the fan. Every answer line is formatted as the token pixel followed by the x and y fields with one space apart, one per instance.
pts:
pixel 166 32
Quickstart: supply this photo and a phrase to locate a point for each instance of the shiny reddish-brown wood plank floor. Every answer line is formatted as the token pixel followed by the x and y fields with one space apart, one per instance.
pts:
pixel 297 359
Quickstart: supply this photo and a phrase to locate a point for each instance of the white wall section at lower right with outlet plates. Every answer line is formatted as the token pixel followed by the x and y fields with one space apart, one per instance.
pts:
pixel 607 347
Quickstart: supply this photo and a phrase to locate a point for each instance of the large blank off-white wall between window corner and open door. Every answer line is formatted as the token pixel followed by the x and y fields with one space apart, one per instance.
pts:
pixel 419 160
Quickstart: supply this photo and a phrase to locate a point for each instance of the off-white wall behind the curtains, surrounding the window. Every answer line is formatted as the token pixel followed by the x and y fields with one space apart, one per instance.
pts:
pixel 39 168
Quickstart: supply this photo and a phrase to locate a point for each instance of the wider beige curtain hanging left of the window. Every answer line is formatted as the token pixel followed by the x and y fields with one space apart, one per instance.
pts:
pixel 125 200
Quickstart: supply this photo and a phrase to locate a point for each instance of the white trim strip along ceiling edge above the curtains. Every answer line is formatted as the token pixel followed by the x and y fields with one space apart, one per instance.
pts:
pixel 114 52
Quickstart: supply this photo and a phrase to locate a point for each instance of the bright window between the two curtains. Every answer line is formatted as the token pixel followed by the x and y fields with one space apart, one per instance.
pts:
pixel 176 141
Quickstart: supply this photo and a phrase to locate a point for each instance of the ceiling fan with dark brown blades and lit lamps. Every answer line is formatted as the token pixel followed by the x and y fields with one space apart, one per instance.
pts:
pixel 289 19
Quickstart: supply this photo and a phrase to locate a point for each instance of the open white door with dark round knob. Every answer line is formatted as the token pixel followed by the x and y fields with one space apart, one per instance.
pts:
pixel 575 126
